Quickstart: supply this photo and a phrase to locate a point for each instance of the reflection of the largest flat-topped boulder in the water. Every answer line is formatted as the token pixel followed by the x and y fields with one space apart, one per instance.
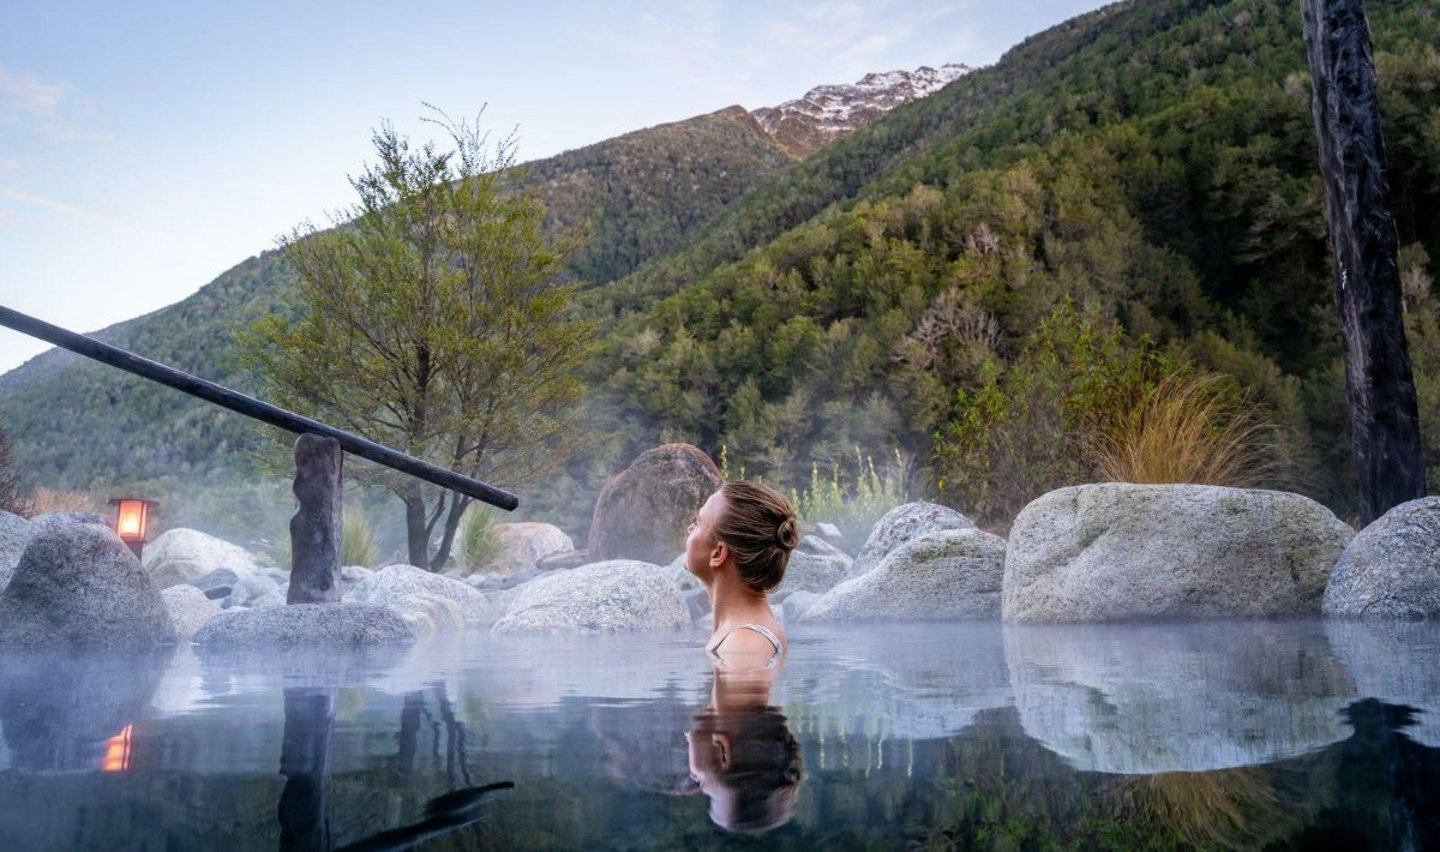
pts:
pixel 1154 699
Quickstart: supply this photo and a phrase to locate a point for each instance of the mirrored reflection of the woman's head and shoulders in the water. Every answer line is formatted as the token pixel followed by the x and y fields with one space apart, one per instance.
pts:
pixel 744 756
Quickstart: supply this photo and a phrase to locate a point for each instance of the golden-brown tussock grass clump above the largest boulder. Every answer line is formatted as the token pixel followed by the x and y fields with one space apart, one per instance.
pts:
pixel 1192 428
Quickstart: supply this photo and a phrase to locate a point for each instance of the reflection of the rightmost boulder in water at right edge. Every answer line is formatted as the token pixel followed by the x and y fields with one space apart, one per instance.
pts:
pixel 1395 663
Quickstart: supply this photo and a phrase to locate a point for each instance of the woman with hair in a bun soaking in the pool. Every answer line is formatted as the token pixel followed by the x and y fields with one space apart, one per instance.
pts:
pixel 739 546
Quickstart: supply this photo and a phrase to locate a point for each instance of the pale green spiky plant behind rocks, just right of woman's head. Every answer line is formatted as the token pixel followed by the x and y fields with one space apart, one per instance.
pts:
pixel 853 500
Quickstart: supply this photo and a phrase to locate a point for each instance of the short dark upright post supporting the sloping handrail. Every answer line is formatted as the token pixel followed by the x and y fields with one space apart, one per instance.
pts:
pixel 315 532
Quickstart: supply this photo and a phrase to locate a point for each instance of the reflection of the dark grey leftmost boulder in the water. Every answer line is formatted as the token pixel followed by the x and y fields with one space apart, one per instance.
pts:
pixel 58 712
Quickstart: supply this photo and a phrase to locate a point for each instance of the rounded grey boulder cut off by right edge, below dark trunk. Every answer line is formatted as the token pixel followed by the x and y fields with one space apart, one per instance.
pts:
pixel 1392 571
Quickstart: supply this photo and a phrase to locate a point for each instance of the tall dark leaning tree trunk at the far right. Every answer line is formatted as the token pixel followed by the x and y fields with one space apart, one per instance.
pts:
pixel 1379 385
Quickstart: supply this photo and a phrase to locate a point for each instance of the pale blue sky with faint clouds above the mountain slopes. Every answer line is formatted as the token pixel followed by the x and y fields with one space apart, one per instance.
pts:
pixel 148 148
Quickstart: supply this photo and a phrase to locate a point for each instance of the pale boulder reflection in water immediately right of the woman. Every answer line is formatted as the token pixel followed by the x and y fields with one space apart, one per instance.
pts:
pixel 914 681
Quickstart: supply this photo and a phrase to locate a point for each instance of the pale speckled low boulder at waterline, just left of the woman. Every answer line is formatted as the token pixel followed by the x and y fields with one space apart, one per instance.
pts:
pixel 617 595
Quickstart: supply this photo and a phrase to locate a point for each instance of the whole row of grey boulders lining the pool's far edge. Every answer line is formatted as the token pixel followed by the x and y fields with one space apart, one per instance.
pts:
pixel 1089 553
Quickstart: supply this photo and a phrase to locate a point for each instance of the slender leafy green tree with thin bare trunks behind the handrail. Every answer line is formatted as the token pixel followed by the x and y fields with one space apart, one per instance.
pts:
pixel 434 319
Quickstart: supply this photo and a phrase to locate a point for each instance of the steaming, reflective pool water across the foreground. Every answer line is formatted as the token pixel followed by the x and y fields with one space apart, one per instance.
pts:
pixel 1291 735
